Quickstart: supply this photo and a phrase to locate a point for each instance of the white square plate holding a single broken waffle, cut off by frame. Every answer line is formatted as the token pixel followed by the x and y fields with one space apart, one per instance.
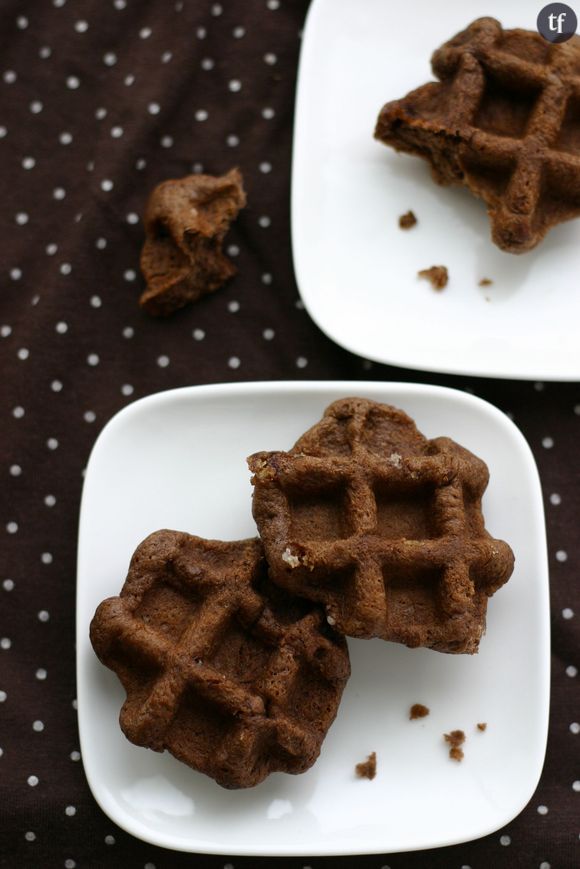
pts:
pixel 356 270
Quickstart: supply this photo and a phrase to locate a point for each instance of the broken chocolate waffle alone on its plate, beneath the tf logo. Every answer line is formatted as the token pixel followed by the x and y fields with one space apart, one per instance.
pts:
pixel 504 121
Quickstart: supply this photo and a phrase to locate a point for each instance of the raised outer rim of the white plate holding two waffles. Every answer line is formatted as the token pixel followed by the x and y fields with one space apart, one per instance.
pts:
pixel 322 849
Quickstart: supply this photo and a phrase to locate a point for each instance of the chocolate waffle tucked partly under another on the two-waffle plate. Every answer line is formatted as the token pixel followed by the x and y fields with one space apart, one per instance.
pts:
pixel 222 670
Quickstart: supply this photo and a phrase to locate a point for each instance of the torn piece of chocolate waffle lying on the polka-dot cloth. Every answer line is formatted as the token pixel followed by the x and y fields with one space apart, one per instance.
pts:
pixel 185 224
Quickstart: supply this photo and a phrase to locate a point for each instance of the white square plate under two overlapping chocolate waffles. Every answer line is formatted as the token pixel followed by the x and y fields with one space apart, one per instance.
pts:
pixel 177 460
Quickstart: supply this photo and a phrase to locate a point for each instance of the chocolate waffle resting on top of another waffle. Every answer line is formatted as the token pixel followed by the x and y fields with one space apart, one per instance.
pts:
pixel 381 526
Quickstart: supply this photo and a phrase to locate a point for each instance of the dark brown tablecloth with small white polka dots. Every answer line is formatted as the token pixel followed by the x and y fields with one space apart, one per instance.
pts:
pixel 102 99
